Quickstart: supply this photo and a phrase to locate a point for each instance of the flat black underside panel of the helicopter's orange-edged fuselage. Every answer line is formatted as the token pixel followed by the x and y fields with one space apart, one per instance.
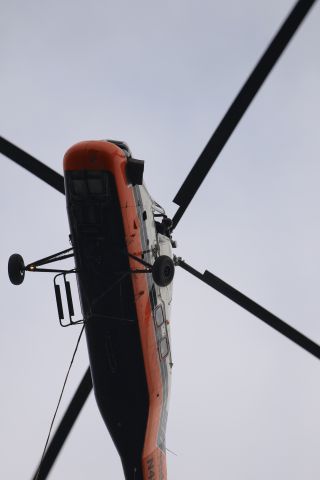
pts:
pixel 108 306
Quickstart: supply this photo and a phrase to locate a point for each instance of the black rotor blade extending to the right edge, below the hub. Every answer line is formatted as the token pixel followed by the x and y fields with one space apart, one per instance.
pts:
pixel 254 308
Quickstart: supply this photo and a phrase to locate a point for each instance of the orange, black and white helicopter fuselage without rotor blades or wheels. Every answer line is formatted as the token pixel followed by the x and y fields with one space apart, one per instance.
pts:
pixel 126 314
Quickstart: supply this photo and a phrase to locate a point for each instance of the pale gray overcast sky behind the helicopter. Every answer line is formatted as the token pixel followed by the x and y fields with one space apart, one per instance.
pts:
pixel 160 75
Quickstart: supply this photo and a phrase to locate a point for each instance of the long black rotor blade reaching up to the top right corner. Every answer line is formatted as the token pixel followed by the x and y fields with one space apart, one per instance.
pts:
pixel 238 107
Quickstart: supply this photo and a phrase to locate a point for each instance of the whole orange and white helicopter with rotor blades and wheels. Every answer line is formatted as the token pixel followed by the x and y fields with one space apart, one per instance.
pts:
pixel 122 246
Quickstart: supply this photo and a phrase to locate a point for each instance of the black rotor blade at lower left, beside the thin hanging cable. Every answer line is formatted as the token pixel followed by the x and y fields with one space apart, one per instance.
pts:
pixel 65 426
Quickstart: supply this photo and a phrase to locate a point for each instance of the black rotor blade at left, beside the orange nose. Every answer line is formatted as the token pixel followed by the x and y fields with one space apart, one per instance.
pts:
pixel 32 164
